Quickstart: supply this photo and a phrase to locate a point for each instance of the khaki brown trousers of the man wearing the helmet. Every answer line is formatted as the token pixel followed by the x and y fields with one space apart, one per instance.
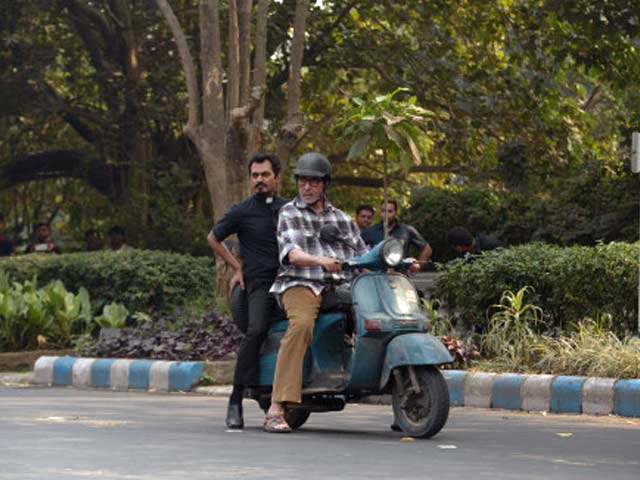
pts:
pixel 302 306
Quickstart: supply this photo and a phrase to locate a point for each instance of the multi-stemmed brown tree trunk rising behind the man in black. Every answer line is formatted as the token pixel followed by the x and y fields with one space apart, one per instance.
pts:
pixel 225 120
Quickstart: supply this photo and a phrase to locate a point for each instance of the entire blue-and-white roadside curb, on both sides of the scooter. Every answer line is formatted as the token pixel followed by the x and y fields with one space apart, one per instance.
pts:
pixel 509 391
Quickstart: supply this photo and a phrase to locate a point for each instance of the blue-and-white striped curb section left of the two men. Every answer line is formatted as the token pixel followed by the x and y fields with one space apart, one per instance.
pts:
pixel 117 374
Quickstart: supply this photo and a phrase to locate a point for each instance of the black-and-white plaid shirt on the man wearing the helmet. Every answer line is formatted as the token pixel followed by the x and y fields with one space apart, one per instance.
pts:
pixel 299 227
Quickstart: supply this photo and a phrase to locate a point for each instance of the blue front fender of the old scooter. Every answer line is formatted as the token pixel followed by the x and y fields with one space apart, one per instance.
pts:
pixel 413 349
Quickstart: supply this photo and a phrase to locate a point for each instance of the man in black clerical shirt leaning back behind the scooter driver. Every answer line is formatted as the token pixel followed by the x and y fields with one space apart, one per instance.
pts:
pixel 255 221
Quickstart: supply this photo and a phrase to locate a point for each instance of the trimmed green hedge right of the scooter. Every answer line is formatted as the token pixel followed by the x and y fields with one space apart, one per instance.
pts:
pixel 569 283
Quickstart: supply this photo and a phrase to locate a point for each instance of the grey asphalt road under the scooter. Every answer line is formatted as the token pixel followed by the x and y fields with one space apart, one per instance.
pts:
pixel 69 434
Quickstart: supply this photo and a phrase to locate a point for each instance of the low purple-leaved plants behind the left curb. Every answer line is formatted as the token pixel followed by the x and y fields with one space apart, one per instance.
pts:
pixel 210 337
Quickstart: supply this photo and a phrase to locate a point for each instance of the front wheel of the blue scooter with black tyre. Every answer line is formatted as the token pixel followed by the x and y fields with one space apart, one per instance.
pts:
pixel 421 404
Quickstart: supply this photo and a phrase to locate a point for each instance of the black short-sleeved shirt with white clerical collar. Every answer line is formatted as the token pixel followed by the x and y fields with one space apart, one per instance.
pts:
pixel 255 222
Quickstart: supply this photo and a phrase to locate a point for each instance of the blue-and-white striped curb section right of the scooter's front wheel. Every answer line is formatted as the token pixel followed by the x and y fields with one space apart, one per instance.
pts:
pixel 547 393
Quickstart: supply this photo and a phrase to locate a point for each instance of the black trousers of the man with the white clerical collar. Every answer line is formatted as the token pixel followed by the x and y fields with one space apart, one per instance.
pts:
pixel 261 310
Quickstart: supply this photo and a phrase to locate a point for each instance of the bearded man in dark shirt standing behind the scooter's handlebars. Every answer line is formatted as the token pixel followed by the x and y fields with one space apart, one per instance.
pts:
pixel 407 235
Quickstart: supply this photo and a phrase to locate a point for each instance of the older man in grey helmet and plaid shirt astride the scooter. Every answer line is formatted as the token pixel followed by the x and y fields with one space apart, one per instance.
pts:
pixel 307 266
